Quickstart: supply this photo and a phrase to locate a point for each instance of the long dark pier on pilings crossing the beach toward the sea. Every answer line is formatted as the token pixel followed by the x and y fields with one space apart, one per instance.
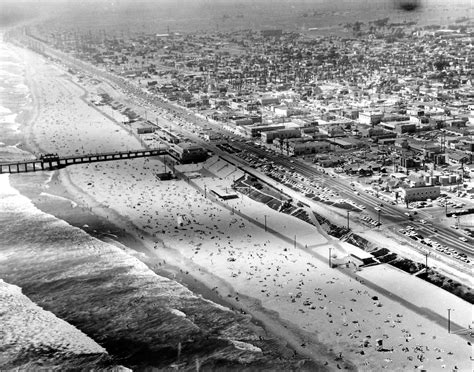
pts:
pixel 56 162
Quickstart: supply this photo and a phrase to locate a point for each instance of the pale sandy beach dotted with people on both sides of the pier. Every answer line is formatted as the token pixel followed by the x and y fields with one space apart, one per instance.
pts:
pixel 284 281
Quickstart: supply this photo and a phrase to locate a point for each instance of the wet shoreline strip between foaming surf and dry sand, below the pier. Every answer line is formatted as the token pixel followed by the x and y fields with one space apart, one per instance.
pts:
pixel 269 321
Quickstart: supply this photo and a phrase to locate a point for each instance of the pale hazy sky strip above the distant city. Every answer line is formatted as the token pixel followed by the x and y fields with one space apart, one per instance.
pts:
pixel 12 11
